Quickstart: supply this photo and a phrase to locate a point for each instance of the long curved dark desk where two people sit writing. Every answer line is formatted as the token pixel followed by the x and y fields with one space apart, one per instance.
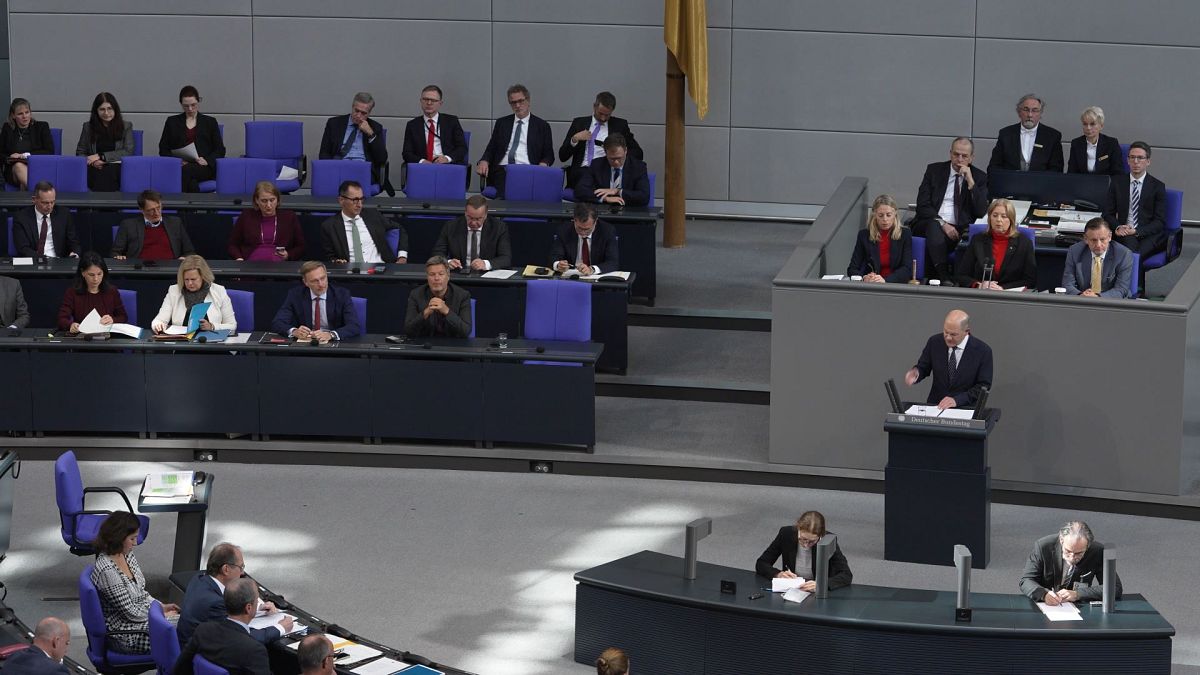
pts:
pixel 644 605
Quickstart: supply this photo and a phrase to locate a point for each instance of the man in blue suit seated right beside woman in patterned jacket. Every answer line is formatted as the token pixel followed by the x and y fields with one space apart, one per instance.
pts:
pixel 205 599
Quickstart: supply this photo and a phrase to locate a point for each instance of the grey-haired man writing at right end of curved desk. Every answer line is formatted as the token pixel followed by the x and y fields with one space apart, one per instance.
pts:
pixel 1066 568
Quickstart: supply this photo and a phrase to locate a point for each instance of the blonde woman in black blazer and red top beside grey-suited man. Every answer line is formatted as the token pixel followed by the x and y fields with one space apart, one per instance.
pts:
pixel 1004 248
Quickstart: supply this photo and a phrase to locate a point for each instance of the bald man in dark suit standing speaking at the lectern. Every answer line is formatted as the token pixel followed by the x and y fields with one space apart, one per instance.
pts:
pixel 959 362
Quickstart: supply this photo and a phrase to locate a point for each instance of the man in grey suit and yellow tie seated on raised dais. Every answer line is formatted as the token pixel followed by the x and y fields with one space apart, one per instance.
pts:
pixel 1095 253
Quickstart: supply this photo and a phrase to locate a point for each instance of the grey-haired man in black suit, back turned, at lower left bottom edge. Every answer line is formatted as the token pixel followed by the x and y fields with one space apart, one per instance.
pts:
pixel 227 642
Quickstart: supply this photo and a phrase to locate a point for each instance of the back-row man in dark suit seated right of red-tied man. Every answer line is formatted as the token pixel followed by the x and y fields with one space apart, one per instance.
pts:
pixel 520 139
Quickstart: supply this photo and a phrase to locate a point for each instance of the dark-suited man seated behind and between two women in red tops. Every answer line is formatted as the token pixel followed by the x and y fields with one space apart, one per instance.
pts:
pixel 952 196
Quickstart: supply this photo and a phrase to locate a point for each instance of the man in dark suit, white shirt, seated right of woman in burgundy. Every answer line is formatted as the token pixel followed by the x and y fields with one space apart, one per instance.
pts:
pixel 357 235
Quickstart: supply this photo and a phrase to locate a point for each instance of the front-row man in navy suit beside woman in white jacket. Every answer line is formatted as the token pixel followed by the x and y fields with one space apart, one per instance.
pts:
pixel 317 309
